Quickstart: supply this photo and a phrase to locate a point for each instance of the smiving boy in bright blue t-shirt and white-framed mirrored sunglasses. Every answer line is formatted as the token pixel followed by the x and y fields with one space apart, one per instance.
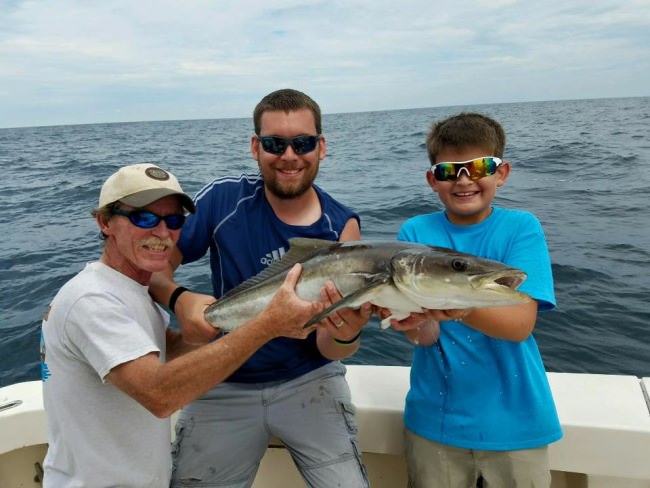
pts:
pixel 479 405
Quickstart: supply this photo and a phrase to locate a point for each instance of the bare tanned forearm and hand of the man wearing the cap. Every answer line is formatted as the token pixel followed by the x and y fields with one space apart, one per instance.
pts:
pixel 163 388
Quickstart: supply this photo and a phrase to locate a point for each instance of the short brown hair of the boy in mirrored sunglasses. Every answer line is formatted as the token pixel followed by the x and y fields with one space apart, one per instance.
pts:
pixel 464 130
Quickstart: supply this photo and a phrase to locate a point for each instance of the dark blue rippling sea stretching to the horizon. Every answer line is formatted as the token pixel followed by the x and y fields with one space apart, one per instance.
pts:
pixel 582 166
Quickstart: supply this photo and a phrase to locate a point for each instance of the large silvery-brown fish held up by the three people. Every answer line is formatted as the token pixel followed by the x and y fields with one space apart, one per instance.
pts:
pixel 401 276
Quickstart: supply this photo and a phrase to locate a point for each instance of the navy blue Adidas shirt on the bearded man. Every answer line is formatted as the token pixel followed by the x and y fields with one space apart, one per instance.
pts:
pixel 236 223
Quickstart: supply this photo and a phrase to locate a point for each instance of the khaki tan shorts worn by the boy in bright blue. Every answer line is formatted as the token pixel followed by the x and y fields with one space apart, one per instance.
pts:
pixel 434 465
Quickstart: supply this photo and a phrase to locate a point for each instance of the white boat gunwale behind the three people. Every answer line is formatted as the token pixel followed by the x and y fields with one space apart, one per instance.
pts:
pixel 605 419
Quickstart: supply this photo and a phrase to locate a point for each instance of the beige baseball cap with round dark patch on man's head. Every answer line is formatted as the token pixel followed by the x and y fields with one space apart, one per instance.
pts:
pixel 140 184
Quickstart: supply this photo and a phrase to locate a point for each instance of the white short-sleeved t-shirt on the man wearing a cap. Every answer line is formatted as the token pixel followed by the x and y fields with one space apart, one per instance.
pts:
pixel 99 436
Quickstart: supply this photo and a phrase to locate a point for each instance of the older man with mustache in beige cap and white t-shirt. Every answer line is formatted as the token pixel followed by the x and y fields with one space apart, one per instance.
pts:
pixel 113 371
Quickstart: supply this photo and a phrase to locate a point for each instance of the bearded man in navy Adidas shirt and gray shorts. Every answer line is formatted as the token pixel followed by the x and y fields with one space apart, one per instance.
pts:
pixel 293 389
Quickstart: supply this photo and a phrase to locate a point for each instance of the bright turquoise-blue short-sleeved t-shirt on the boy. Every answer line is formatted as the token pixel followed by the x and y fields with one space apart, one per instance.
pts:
pixel 469 390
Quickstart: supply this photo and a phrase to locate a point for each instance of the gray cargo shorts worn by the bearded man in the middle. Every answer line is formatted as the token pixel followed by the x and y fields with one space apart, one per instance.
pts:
pixel 221 438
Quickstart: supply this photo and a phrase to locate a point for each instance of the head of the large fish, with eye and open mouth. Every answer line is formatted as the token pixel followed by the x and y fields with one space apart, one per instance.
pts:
pixel 439 278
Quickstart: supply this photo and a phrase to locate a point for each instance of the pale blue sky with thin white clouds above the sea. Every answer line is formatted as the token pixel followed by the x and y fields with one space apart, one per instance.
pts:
pixel 90 61
